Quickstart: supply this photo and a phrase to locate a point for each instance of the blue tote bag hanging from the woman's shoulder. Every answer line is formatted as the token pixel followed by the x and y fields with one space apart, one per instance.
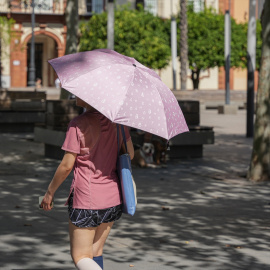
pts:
pixel 128 187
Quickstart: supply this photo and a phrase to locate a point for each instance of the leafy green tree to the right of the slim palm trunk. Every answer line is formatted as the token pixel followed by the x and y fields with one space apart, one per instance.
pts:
pixel 206 42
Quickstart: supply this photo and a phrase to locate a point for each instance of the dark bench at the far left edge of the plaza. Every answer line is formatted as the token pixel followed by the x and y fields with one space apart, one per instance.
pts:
pixel 20 111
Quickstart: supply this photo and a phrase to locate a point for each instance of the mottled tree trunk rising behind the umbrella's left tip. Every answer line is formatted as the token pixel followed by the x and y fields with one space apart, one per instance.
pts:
pixel 72 21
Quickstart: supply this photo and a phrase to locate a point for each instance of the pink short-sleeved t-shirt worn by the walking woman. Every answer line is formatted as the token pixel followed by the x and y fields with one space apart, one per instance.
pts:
pixel 93 137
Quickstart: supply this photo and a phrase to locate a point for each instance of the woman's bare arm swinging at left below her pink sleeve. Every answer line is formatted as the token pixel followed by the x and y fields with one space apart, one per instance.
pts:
pixel 60 175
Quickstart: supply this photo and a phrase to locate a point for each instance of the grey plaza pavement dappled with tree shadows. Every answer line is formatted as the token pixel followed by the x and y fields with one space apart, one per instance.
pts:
pixel 194 214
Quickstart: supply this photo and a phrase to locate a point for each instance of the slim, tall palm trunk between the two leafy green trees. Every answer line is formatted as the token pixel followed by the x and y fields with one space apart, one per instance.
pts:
pixel 183 44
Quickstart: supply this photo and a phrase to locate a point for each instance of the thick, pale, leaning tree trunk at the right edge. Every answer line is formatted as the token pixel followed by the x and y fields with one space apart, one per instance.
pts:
pixel 260 161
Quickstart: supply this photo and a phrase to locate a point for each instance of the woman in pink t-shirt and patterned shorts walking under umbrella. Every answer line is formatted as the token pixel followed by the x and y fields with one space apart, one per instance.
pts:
pixel 94 202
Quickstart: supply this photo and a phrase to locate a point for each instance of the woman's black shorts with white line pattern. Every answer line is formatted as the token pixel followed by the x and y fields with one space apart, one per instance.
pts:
pixel 92 218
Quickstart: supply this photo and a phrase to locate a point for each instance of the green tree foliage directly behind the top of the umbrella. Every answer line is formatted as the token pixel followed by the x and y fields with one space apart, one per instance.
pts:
pixel 138 34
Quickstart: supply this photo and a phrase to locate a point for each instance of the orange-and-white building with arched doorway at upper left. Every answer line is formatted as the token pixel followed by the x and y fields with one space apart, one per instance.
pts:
pixel 50 37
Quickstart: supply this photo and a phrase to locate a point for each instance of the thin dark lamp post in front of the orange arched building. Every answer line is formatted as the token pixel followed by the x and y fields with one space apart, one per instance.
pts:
pixel 32 68
